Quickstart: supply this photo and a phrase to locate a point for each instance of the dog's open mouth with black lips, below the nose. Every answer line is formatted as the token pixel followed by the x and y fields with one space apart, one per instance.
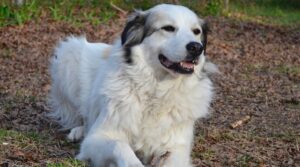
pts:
pixel 182 67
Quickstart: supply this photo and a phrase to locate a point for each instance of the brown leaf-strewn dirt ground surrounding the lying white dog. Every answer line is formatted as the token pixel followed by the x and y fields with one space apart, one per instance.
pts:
pixel 259 78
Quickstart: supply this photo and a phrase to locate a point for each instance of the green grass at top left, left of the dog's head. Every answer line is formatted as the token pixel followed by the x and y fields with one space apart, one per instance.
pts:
pixel 73 12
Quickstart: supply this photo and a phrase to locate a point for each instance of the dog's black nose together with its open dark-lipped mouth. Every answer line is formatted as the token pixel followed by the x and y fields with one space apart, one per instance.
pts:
pixel 186 66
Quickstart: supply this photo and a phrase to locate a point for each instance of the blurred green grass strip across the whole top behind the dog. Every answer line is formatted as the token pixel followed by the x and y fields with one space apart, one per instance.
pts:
pixel 18 12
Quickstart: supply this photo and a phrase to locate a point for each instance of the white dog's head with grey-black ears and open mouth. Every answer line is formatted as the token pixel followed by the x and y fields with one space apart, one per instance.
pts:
pixel 172 37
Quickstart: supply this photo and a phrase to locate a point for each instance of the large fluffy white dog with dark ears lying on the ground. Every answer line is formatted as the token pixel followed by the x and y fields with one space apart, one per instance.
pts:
pixel 140 97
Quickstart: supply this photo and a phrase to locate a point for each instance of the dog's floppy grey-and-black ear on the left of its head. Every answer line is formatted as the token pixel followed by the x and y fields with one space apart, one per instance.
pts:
pixel 134 31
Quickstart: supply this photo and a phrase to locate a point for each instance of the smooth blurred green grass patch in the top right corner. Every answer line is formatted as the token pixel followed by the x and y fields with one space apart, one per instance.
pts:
pixel 276 12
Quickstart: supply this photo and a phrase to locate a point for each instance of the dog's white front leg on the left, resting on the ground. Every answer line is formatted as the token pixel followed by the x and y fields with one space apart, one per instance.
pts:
pixel 106 152
